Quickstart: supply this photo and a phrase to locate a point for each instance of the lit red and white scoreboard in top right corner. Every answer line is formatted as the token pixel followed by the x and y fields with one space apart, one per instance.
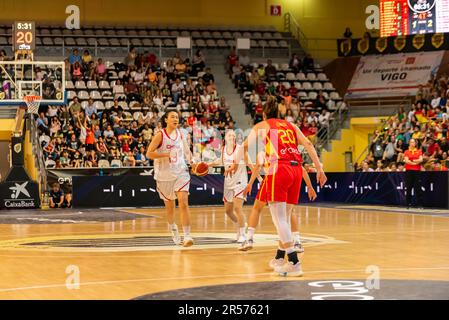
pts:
pixel 405 17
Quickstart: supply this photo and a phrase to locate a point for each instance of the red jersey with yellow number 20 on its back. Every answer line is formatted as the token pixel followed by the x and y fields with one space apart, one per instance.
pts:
pixel 281 142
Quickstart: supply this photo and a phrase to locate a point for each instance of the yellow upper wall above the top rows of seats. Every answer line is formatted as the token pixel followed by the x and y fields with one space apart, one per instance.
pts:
pixel 322 21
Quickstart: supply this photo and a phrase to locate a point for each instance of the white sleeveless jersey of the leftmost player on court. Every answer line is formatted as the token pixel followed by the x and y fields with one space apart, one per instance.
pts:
pixel 169 169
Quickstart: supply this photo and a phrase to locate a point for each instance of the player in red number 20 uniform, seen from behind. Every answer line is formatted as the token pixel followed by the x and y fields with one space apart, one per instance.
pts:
pixel 280 140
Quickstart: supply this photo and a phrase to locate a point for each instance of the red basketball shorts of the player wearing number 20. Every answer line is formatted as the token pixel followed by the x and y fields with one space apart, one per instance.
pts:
pixel 284 185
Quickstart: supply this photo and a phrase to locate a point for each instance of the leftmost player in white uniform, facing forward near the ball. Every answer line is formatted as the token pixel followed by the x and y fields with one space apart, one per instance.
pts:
pixel 170 152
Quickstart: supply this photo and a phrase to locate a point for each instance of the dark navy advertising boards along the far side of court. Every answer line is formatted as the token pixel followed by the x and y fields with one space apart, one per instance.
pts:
pixel 374 188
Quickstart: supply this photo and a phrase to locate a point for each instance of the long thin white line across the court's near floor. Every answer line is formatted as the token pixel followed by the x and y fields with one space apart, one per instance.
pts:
pixel 249 275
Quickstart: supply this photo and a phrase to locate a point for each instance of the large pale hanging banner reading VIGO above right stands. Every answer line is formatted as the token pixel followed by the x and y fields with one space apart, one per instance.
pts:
pixel 392 75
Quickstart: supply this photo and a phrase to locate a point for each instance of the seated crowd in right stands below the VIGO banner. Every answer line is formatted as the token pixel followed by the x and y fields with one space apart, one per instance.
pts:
pixel 427 122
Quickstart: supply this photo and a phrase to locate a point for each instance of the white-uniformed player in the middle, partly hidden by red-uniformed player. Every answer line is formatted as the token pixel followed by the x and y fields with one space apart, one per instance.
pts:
pixel 234 186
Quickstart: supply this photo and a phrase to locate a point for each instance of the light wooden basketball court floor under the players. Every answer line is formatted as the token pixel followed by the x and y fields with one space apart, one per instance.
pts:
pixel 45 258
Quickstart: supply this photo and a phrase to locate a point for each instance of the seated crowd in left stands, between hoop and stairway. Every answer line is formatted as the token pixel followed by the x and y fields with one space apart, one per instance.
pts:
pixel 79 135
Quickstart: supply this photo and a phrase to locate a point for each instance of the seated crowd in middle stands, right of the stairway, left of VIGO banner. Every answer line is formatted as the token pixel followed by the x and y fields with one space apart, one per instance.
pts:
pixel 265 81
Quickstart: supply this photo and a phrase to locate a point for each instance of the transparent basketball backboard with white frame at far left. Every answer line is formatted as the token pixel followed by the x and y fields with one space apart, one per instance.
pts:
pixel 23 77
